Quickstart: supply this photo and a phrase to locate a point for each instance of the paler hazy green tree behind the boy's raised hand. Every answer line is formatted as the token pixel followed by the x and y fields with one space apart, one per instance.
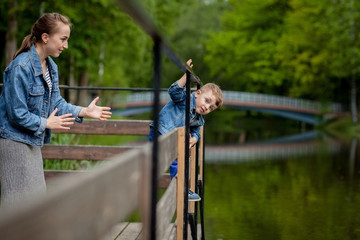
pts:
pixel 192 29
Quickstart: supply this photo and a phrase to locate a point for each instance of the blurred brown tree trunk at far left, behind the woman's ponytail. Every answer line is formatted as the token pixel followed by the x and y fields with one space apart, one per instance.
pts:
pixel 10 45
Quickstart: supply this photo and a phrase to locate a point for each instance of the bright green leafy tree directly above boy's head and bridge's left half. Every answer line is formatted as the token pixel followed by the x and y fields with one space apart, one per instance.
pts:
pixel 241 55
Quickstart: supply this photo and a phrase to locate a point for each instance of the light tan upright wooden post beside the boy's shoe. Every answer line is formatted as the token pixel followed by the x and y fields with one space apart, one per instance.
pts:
pixel 180 184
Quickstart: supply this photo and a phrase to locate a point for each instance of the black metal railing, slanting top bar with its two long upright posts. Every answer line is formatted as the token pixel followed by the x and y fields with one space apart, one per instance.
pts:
pixel 133 8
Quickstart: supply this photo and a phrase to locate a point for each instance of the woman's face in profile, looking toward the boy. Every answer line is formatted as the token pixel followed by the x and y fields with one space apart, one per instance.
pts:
pixel 58 41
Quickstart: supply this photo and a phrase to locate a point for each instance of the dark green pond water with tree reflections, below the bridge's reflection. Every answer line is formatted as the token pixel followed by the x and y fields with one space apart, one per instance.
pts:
pixel 311 196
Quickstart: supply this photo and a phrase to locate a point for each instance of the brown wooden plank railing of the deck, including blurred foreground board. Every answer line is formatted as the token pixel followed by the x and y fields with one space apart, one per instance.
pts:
pixel 88 205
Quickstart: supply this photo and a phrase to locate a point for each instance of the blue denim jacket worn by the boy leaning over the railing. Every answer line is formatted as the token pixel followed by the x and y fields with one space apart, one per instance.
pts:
pixel 172 115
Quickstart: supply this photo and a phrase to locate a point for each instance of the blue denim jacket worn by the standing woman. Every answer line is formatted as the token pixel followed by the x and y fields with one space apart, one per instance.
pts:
pixel 25 102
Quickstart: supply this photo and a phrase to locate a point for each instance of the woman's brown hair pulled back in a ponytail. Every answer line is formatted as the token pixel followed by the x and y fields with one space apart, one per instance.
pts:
pixel 47 23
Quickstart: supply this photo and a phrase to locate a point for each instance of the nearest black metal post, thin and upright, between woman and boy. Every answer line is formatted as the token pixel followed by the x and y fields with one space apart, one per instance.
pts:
pixel 157 61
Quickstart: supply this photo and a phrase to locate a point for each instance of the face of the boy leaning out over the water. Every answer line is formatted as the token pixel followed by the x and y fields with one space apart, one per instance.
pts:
pixel 205 102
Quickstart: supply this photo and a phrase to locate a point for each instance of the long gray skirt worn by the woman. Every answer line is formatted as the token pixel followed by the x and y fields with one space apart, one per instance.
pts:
pixel 22 173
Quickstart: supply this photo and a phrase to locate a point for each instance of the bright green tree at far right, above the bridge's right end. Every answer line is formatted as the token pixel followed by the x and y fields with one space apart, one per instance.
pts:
pixel 316 49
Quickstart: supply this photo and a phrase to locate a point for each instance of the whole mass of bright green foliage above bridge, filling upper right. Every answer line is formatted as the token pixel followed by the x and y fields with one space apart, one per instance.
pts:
pixel 288 47
